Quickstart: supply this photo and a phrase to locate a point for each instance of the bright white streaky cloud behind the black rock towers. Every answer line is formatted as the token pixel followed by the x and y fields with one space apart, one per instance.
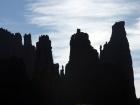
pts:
pixel 61 18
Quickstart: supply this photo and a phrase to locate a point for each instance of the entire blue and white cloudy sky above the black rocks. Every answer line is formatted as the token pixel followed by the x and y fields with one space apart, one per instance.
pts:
pixel 60 18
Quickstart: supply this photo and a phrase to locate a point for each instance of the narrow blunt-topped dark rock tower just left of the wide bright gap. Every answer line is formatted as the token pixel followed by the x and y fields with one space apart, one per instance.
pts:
pixel 44 60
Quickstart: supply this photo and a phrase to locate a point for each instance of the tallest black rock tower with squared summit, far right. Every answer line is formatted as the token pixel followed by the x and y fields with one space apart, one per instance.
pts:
pixel 117 68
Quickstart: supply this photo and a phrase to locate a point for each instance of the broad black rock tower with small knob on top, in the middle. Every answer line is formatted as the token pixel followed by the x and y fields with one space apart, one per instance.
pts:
pixel 81 69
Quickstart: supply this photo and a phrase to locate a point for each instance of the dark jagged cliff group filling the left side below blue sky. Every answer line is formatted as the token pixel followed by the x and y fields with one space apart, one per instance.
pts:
pixel 27 73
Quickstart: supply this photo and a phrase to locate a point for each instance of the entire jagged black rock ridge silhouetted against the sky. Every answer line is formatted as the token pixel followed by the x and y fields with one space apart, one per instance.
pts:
pixel 29 76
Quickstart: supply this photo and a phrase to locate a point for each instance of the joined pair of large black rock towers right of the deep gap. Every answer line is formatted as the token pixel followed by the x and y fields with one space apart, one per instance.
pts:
pixel 107 79
